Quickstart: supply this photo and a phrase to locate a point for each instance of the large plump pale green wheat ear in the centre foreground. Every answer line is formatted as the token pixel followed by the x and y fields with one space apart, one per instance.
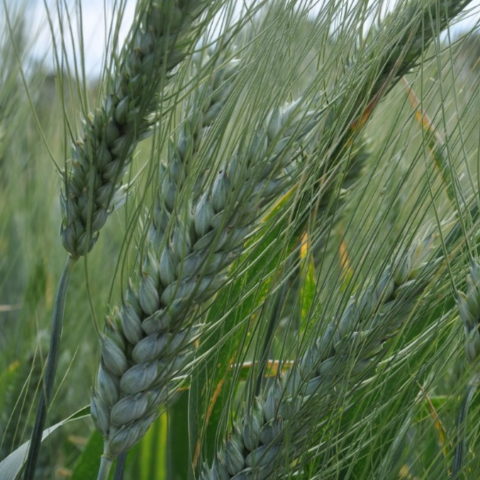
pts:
pixel 147 341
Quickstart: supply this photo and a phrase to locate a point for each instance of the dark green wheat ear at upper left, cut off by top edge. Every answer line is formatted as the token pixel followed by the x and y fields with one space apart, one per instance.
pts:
pixel 162 36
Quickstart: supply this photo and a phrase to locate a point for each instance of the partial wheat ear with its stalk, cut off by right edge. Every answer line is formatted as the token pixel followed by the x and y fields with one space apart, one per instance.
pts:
pixel 468 305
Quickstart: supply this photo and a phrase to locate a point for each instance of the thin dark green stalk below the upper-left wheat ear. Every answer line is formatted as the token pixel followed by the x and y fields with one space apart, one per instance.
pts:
pixel 51 368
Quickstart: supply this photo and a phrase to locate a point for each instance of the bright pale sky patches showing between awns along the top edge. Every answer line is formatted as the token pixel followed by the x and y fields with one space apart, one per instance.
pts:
pixel 94 28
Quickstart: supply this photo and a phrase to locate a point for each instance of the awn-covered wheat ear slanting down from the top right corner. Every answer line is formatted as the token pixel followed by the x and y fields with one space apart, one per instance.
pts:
pixel 406 39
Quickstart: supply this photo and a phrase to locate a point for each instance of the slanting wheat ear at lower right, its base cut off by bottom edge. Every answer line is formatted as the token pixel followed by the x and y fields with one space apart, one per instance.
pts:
pixel 347 349
